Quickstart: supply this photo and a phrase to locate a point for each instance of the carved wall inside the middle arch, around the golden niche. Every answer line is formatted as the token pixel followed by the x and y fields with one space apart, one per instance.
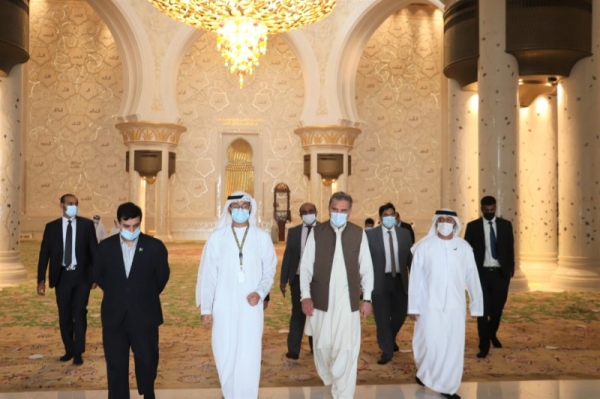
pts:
pixel 211 103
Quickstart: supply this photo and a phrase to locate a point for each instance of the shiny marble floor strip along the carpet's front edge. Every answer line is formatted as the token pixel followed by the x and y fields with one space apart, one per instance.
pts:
pixel 555 389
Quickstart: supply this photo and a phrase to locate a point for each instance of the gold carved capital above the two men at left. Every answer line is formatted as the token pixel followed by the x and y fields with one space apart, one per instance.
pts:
pixel 144 132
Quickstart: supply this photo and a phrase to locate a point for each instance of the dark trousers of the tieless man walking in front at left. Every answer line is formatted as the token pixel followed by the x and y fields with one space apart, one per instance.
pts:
pixel 144 345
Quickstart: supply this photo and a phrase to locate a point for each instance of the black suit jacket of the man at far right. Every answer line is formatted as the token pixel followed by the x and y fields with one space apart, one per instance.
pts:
pixel 505 243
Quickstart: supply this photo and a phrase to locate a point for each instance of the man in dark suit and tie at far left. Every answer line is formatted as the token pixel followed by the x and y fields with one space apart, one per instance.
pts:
pixel 69 244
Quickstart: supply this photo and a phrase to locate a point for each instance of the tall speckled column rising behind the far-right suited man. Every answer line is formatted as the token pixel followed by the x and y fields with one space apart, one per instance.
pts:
pixel 498 76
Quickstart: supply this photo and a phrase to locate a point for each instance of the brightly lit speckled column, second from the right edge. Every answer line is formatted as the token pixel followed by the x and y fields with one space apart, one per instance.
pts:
pixel 538 190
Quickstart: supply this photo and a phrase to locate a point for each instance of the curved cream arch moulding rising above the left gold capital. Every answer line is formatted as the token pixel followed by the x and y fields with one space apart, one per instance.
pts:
pixel 136 55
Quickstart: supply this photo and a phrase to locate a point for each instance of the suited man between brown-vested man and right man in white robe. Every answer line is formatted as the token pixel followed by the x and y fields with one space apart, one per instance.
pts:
pixel 390 252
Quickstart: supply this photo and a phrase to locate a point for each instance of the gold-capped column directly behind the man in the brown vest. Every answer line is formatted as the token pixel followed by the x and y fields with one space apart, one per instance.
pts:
pixel 327 140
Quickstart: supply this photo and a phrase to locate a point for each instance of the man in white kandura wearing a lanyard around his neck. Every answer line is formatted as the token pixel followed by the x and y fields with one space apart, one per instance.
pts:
pixel 236 272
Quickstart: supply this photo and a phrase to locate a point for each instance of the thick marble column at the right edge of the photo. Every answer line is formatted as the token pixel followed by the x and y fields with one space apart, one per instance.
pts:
pixel 578 171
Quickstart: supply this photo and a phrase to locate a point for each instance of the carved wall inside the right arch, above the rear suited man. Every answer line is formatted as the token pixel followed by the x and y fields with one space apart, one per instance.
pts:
pixel 397 157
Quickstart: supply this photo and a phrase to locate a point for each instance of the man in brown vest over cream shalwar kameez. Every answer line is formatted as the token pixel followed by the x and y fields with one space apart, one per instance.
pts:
pixel 335 267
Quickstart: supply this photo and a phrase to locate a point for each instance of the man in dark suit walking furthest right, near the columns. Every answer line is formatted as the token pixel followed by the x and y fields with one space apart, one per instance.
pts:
pixel 492 241
